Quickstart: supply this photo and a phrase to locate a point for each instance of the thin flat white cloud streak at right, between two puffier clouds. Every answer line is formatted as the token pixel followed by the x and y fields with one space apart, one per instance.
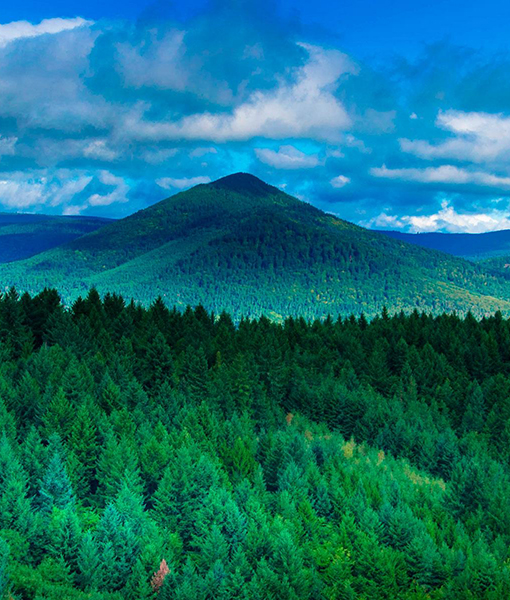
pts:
pixel 447 174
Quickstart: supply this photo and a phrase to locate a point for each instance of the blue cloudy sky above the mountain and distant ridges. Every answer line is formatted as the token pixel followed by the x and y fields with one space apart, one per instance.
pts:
pixel 392 115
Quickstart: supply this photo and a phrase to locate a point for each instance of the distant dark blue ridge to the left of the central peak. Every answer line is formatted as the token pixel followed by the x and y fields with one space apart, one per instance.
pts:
pixel 24 235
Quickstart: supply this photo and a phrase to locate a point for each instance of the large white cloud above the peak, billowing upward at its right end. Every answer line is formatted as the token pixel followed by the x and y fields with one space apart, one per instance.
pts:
pixel 304 108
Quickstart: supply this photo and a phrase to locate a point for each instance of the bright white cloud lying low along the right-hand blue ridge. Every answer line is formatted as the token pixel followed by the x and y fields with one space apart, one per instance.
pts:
pixel 446 219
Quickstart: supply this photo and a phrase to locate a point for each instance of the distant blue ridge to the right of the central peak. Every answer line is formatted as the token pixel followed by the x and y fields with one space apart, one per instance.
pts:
pixel 472 246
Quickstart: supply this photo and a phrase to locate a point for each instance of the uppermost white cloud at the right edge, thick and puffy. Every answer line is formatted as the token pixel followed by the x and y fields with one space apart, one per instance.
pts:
pixel 479 137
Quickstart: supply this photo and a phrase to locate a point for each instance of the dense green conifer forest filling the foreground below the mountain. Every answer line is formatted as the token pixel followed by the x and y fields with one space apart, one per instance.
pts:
pixel 149 452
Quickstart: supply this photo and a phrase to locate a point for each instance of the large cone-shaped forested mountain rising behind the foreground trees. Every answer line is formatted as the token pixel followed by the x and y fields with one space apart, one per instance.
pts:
pixel 241 245
